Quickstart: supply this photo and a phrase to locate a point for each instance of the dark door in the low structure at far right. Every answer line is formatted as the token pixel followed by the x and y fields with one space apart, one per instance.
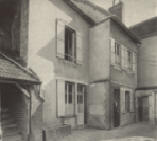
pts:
pixel 143 108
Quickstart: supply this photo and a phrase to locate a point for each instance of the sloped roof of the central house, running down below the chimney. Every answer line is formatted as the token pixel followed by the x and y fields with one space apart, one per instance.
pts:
pixel 95 15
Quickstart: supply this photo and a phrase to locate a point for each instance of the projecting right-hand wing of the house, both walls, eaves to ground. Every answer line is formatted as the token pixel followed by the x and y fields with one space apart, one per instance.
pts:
pixel 111 98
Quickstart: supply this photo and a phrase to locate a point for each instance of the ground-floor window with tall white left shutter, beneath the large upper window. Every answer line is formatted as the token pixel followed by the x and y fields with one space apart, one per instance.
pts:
pixel 70 98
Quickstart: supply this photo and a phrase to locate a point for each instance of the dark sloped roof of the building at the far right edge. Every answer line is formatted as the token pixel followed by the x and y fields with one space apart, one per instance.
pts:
pixel 146 28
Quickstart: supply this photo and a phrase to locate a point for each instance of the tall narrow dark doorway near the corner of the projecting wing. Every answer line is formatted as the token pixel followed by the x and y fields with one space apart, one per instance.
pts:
pixel 116 107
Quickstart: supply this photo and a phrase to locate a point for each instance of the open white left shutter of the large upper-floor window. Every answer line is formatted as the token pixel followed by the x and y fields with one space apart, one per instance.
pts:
pixel 60 35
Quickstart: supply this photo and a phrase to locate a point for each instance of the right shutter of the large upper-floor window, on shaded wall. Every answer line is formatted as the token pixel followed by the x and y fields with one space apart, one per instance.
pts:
pixel 79 51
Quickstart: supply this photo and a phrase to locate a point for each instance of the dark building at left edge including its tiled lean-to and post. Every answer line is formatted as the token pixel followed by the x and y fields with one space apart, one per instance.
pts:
pixel 21 104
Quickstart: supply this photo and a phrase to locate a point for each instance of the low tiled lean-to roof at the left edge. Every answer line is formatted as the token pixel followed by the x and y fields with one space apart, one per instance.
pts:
pixel 10 70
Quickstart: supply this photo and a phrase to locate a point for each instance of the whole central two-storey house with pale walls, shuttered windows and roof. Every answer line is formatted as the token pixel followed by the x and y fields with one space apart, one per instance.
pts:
pixel 69 41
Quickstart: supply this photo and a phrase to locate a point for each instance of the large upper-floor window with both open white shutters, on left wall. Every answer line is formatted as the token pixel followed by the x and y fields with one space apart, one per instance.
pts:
pixel 69 43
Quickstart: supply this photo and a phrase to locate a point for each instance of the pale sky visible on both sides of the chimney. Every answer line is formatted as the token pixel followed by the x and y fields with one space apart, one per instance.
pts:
pixel 135 11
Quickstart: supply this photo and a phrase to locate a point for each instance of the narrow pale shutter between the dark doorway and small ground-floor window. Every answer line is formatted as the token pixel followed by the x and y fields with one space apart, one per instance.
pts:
pixel 122 98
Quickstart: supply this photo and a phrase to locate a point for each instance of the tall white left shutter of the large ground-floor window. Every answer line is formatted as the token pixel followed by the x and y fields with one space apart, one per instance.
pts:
pixel 61 98
